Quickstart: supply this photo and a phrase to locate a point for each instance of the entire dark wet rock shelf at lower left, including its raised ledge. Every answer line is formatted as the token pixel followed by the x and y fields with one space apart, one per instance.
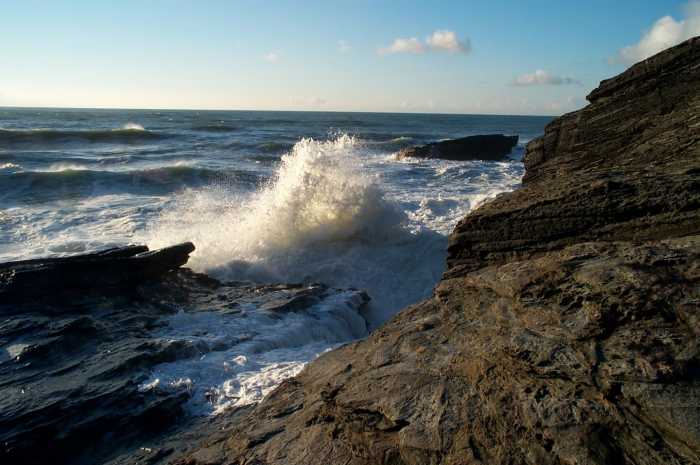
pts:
pixel 80 350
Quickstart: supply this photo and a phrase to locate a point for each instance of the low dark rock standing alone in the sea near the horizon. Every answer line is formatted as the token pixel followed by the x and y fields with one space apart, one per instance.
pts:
pixel 484 147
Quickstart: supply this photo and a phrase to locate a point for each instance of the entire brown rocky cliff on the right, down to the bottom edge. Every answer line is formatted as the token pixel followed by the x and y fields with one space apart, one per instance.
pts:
pixel 565 329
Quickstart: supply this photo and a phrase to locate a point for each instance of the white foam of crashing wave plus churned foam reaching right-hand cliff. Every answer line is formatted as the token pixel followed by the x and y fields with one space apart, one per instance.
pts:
pixel 336 213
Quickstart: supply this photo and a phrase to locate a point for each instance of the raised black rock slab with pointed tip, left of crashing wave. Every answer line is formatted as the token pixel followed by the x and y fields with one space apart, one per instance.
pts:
pixel 47 277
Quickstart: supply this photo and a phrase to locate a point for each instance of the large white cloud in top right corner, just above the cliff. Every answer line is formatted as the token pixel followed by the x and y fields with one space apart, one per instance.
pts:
pixel 664 33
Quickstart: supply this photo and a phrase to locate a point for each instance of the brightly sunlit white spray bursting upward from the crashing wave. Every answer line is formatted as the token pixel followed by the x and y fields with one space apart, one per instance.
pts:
pixel 317 195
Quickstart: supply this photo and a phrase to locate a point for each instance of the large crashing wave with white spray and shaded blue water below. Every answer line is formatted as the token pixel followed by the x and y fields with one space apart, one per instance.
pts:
pixel 322 218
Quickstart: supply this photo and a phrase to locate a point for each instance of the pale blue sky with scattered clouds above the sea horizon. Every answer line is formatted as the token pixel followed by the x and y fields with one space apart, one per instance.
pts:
pixel 485 57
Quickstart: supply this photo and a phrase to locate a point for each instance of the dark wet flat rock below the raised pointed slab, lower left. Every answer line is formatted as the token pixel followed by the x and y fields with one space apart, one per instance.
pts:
pixel 73 371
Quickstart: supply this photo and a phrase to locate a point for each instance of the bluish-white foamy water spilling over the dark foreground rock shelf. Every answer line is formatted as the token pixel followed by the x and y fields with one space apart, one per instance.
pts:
pixel 246 355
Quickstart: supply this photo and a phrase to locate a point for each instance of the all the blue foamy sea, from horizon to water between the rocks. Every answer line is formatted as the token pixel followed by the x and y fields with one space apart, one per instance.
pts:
pixel 266 197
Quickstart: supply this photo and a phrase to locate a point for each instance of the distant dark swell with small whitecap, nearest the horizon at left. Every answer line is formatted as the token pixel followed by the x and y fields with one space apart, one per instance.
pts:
pixel 128 134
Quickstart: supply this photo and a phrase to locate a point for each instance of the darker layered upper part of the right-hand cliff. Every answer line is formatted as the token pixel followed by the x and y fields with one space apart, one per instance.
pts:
pixel 623 168
